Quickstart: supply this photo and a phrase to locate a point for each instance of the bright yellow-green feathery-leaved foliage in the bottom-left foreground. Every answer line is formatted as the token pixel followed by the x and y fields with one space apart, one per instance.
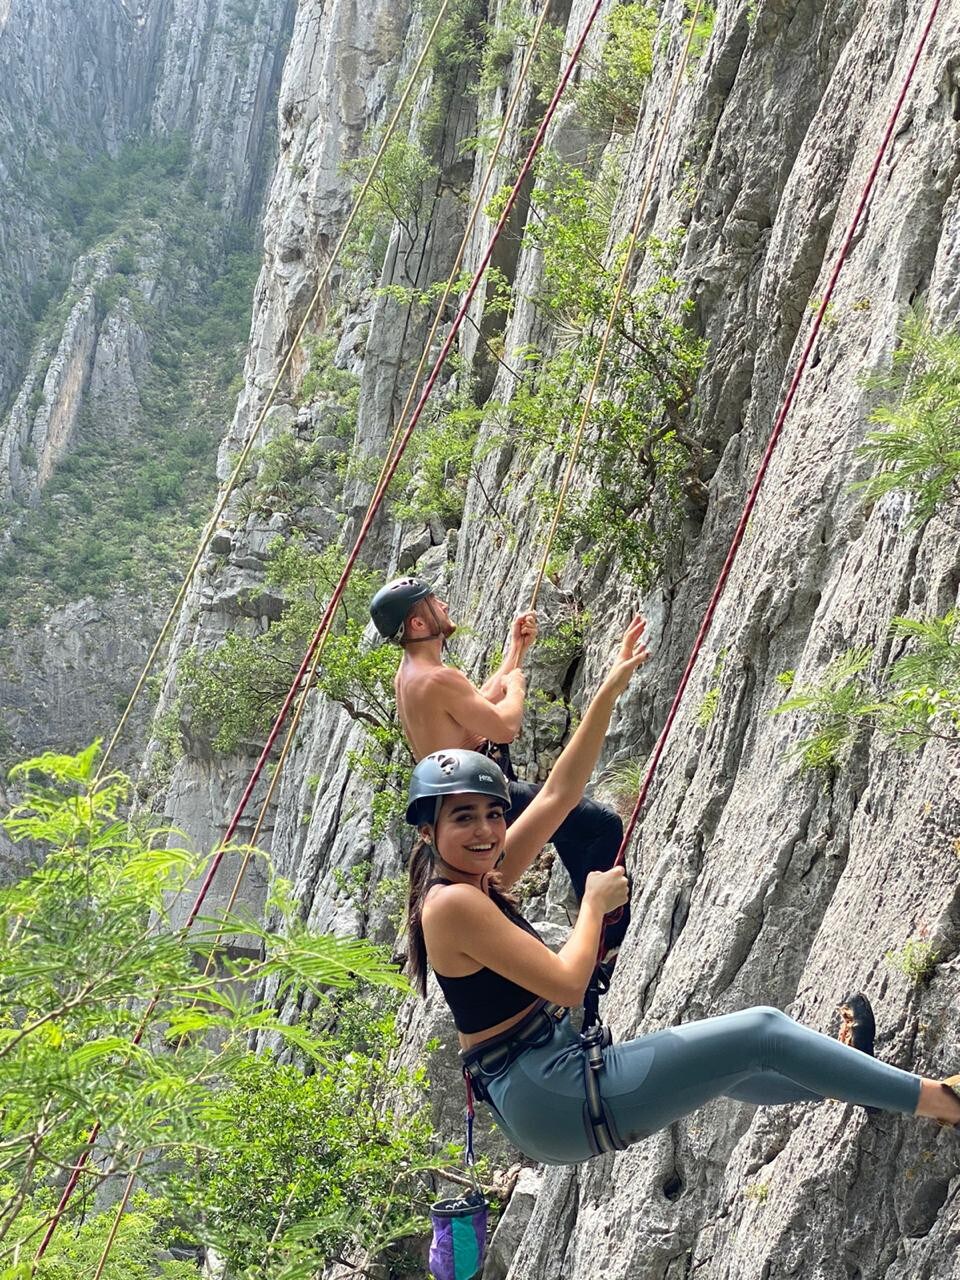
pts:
pixel 88 939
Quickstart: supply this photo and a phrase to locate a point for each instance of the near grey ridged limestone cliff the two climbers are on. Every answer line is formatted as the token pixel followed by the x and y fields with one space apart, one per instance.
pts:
pixel 755 884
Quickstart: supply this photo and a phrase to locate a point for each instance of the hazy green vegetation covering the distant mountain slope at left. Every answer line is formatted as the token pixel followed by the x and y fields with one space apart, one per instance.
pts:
pixel 124 513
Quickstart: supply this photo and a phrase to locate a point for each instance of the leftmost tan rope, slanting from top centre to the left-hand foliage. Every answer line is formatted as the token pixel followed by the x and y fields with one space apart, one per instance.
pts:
pixel 272 395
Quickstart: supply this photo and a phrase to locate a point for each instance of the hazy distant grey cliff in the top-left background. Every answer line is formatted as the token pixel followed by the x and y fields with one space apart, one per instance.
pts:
pixel 85 301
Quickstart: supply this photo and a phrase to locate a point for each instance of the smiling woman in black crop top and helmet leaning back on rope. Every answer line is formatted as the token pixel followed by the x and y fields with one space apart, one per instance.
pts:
pixel 509 991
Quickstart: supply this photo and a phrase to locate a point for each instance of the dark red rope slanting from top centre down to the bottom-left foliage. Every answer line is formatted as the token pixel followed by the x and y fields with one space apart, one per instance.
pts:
pixel 376 504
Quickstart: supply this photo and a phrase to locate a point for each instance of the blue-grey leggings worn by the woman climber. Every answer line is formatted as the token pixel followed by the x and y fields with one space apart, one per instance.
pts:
pixel 758 1055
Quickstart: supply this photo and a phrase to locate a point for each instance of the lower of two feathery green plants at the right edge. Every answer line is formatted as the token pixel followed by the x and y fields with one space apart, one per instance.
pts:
pixel 918 698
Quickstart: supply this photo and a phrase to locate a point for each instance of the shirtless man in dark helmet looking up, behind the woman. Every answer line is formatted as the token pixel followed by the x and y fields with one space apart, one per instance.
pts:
pixel 441 708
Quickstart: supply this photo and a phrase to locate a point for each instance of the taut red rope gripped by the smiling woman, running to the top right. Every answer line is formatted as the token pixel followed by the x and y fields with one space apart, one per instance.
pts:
pixel 772 444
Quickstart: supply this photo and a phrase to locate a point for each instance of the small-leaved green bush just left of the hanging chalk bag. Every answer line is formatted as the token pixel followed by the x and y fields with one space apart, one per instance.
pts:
pixel 332 1160
